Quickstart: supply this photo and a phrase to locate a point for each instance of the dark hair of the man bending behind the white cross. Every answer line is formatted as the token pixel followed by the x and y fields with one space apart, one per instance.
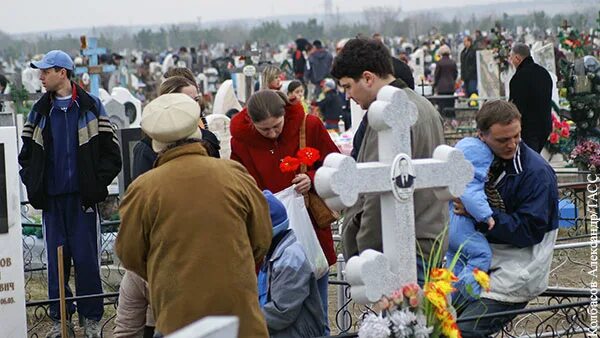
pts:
pixel 359 55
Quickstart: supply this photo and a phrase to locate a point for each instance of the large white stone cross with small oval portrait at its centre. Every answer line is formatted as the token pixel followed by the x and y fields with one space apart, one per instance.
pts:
pixel 341 180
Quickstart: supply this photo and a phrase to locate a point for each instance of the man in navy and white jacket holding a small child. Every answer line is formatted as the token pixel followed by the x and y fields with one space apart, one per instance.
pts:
pixel 525 228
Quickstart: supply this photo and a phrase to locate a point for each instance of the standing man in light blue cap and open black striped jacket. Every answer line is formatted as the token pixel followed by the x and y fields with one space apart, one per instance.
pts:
pixel 70 155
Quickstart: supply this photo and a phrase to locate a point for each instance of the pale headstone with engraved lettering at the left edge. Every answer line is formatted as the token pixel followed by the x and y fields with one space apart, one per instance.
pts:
pixel 13 322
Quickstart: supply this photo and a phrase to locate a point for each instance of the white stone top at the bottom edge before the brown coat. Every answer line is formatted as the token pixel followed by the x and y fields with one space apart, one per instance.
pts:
pixel 210 327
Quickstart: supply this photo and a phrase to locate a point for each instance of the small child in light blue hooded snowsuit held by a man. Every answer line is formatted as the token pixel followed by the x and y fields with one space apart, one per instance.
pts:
pixel 476 252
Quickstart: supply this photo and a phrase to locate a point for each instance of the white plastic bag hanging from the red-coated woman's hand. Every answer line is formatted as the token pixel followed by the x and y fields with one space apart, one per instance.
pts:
pixel 302 226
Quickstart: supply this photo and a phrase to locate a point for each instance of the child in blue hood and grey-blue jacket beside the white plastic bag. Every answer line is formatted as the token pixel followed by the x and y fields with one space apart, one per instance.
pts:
pixel 287 287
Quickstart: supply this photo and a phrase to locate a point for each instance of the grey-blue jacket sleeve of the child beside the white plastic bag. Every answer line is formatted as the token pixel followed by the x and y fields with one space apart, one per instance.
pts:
pixel 290 286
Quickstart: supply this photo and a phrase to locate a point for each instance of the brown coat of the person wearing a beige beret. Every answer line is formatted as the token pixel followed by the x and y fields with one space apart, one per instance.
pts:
pixel 194 227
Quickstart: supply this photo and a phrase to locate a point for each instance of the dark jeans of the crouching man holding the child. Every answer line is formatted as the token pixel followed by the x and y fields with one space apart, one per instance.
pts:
pixel 484 327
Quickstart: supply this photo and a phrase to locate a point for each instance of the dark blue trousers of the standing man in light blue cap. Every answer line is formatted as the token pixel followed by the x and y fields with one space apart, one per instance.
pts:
pixel 66 223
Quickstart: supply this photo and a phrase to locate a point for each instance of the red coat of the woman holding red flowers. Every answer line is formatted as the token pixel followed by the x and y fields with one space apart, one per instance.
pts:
pixel 261 156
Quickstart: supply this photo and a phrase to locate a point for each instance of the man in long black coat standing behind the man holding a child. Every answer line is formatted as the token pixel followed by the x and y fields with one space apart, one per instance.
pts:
pixel 531 92
